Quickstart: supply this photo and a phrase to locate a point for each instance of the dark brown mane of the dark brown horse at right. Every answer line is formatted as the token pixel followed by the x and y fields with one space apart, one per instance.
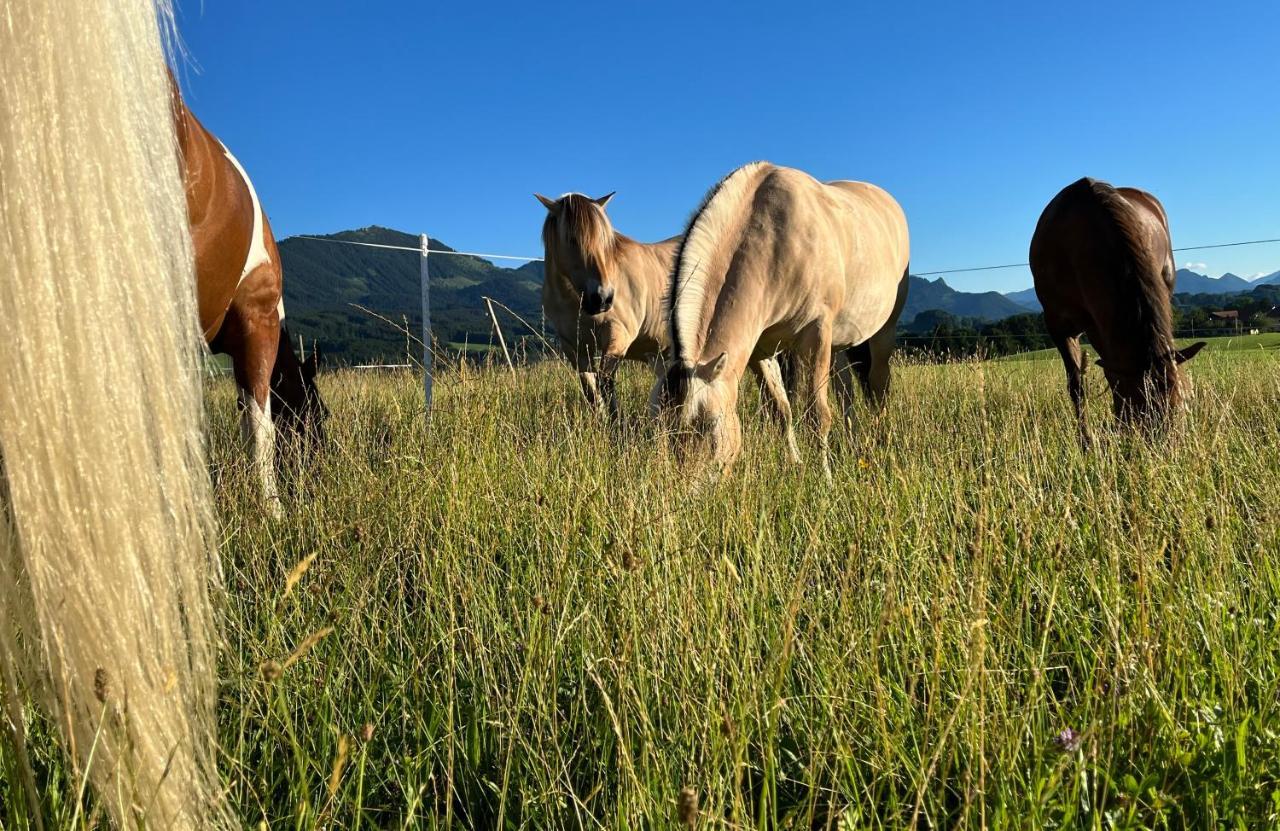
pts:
pixel 1142 267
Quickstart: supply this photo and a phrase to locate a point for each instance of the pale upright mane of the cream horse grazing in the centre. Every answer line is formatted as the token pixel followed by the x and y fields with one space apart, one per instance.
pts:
pixel 705 234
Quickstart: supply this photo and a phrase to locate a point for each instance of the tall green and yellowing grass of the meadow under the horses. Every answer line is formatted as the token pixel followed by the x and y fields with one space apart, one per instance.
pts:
pixel 520 618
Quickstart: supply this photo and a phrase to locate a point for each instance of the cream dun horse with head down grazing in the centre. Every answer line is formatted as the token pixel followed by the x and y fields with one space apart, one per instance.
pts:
pixel 776 261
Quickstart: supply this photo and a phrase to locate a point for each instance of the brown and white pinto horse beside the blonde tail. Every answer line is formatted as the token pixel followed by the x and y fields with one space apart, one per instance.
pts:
pixel 239 286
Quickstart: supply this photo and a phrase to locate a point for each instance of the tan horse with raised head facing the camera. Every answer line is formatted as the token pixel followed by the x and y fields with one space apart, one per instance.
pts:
pixel 606 296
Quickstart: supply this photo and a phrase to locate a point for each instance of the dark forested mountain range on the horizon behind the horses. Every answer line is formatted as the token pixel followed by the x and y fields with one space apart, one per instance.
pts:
pixel 356 303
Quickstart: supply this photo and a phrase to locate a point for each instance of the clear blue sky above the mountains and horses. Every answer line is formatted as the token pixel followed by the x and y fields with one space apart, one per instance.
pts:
pixel 447 117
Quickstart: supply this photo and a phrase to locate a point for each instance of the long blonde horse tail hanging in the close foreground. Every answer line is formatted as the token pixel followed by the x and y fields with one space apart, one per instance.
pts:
pixel 107 565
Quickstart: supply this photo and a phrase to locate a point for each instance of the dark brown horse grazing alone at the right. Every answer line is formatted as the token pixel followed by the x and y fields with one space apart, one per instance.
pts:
pixel 1104 267
